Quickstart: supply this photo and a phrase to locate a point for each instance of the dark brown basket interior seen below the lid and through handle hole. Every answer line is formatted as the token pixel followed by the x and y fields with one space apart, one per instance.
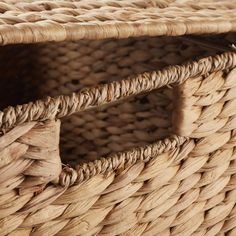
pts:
pixel 30 72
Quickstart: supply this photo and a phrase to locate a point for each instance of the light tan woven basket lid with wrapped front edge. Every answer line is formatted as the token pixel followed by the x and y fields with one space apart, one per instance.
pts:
pixel 30 21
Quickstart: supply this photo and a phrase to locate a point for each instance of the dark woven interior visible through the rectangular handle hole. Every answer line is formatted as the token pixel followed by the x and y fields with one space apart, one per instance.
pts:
pixel 117 127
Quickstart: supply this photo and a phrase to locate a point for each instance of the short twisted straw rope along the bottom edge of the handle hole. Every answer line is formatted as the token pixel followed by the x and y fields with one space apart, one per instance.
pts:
pixel 119 160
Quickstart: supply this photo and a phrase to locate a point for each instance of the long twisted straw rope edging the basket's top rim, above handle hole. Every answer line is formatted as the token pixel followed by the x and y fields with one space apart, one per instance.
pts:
pixel 61 106
